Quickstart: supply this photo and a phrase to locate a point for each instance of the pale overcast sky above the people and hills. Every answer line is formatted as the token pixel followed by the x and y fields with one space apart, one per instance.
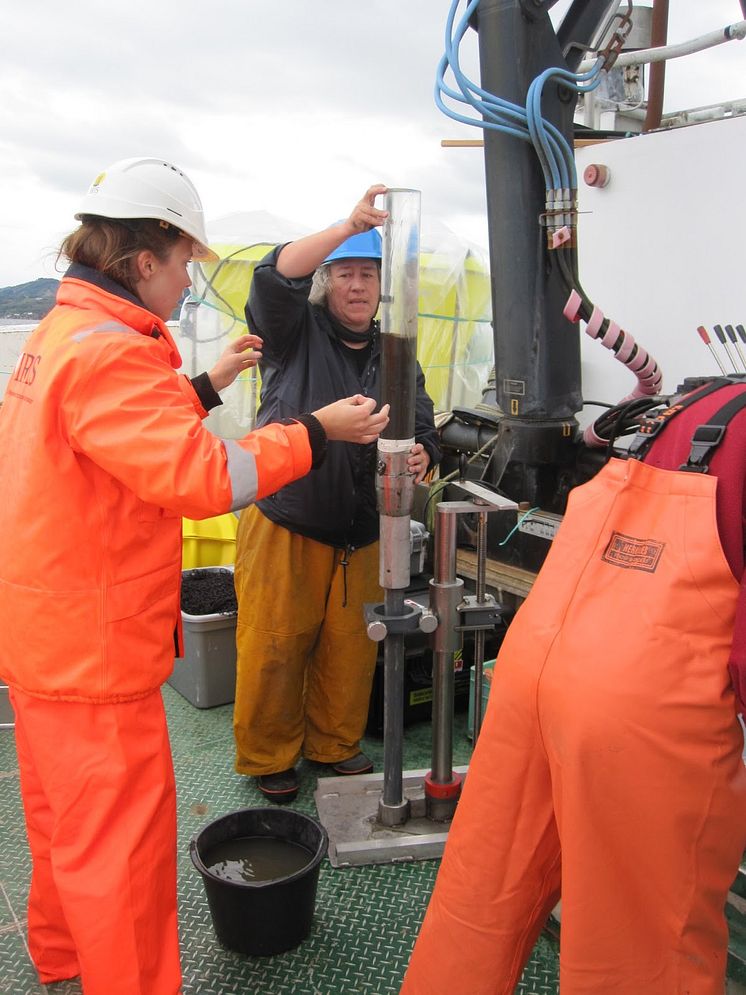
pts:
pixel 287 106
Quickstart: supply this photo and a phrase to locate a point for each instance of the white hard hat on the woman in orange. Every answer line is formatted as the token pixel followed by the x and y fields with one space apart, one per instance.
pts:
pixel 149 188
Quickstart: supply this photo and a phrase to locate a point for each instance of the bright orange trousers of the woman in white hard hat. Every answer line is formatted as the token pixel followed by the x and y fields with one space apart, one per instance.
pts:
pixel 98 793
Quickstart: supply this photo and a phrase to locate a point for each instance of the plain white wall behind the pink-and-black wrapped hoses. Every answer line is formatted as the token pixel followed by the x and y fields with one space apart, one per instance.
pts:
pixel 661 249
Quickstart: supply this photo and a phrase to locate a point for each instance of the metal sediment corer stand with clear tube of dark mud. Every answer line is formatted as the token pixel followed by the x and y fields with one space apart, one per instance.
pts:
pixel 396 815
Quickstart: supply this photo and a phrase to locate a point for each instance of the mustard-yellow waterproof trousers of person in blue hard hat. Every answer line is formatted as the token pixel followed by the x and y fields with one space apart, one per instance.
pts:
pixel 305 663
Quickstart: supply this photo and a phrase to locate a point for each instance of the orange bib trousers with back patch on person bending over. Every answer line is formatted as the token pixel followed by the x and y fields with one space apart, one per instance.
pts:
pixel 609 766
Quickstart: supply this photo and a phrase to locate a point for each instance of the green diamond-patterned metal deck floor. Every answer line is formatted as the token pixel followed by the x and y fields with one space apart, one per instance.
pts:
pixel 366 918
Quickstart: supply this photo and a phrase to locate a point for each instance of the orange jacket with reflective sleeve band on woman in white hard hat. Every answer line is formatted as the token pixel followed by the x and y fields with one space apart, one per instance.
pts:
pixel 102 450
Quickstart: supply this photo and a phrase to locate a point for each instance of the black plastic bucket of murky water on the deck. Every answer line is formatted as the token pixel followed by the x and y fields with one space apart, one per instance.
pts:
pixel 262 917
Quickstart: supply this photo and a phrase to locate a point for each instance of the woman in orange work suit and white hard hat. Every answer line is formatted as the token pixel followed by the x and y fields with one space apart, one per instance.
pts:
pixel 102 450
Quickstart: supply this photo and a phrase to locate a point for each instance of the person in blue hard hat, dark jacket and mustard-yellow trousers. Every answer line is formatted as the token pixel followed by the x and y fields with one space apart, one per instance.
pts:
pixel 307 557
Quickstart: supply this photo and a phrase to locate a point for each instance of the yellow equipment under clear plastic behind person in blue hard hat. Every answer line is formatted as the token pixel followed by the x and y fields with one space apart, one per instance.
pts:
pixel 454 344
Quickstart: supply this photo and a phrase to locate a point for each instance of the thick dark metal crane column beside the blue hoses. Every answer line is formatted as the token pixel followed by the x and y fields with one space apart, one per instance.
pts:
pixel 537 349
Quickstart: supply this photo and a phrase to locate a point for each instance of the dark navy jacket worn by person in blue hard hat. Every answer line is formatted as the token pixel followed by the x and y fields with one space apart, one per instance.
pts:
pixel 304 367
